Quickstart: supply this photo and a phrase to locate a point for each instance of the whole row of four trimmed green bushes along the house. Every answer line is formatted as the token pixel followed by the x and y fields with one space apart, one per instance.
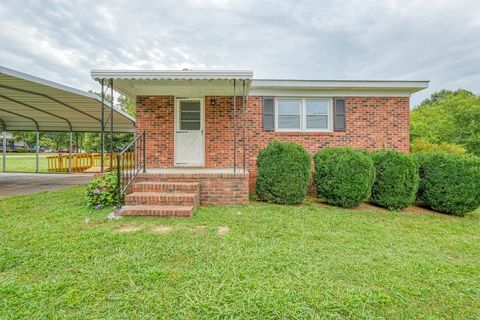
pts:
pixel 347 177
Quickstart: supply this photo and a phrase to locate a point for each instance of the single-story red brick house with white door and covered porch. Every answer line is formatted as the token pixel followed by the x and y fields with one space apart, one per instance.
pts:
pixel 207 127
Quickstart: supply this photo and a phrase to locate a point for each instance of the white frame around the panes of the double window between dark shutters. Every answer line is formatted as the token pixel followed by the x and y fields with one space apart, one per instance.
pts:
pixel 303 114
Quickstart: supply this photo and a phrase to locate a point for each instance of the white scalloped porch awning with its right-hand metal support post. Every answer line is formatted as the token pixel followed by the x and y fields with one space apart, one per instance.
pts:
pixel 188 83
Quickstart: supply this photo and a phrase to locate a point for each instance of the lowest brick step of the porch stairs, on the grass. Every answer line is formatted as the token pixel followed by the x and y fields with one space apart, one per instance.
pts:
pixel 157 210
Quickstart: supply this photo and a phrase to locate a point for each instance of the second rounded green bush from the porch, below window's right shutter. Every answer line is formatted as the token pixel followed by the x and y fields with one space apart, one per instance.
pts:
pixel 343 176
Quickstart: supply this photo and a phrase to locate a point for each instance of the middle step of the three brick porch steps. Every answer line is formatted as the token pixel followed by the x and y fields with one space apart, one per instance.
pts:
pixel 162 198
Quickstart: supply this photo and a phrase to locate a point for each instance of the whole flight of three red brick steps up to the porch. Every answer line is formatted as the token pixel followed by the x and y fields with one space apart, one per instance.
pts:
pixel 162 199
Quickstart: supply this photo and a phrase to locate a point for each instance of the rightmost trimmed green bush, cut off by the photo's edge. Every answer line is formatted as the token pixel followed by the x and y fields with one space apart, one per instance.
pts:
pixel 449 183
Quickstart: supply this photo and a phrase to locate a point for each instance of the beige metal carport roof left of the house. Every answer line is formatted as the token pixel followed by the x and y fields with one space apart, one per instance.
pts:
pixel 29 103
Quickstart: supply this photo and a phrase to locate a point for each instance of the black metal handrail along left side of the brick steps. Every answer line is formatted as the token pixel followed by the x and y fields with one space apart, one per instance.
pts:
pixel 130 162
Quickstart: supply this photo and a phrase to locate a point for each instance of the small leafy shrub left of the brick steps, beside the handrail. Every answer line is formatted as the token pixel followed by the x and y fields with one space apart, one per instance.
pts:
pixel 102 191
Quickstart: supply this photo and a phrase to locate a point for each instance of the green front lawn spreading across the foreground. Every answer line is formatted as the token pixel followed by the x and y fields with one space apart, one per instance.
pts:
pixel 61 260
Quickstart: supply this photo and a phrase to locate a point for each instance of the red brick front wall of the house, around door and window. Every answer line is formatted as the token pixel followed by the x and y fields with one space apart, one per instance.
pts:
pixel 372 123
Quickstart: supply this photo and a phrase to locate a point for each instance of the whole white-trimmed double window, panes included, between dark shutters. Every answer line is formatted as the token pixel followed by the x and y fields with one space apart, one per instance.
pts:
pixel 309 115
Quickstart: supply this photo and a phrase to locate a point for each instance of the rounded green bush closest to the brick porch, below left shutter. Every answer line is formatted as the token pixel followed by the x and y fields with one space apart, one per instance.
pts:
pixel 284 171
